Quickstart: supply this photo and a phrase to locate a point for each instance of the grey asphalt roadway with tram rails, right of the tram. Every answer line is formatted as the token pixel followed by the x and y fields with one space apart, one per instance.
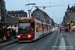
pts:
pixel 46 43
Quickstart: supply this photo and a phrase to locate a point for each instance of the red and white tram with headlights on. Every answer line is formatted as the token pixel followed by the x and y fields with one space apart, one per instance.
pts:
pixel 31 29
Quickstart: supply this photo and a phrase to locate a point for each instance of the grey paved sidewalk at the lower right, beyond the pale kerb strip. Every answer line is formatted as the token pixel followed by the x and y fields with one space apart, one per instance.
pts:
pixel 69 39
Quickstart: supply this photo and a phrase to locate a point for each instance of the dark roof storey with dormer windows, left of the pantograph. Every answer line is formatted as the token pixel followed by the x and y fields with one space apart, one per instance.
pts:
pixel 16 14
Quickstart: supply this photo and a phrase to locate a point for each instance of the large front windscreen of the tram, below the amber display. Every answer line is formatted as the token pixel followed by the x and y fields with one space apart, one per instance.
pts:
pixel 24 28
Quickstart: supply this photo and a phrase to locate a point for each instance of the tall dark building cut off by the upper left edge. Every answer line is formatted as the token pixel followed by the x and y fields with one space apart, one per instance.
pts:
pixel 2 10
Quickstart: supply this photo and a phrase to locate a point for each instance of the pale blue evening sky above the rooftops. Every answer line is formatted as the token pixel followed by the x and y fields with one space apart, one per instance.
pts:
pixel 56 11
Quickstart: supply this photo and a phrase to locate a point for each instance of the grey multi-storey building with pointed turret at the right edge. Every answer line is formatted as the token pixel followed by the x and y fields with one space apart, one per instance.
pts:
pixel 70 15
